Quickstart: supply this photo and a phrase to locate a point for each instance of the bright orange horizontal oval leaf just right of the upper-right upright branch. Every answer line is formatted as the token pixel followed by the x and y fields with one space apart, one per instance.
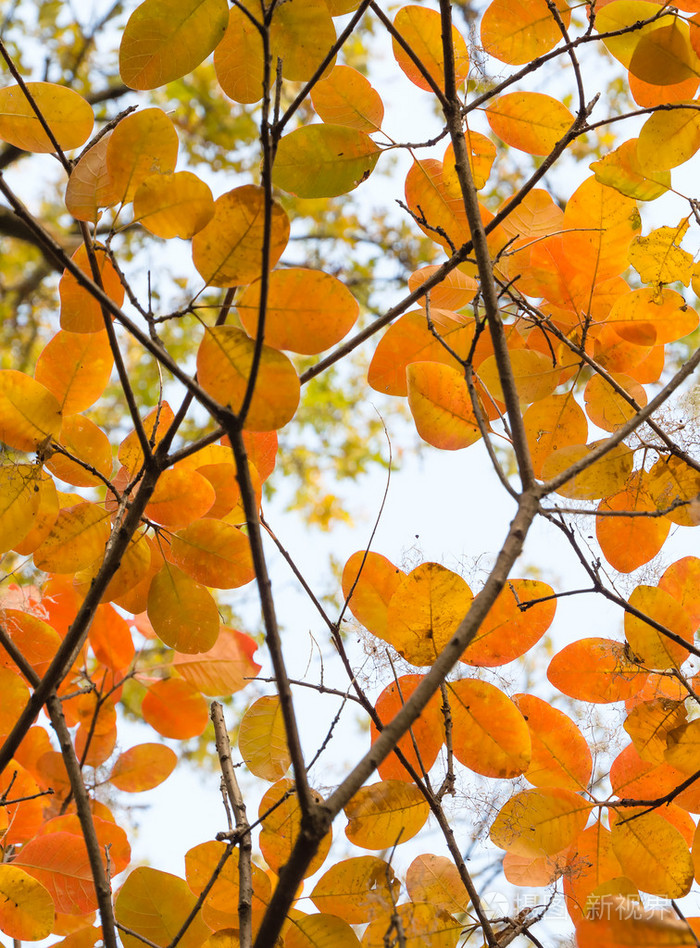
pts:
pixel 529 121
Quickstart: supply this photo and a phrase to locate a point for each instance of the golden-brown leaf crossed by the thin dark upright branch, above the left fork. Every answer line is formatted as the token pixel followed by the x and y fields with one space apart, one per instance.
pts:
pixel 224 362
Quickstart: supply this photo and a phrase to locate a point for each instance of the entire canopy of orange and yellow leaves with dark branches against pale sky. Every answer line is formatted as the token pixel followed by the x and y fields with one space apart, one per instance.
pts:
pixel 548 329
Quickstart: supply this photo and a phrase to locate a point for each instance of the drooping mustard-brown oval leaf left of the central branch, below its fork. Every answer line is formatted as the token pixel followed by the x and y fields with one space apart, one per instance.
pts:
pixel 183 613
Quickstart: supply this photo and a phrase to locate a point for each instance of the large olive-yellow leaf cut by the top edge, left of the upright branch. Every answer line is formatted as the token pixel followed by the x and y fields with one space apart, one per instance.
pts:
pixel 162 41
